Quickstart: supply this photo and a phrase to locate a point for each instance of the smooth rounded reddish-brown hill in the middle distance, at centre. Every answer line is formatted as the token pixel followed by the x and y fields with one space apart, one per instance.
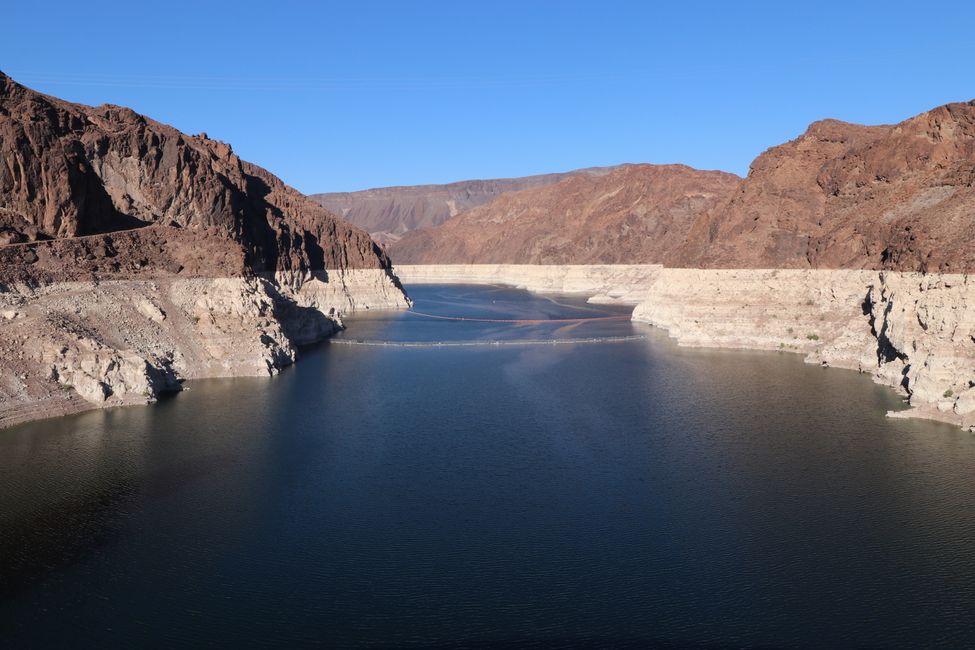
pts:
pixel 634 214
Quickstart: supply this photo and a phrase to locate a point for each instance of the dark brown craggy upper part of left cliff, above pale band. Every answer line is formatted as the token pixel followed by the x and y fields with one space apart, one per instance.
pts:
pixel 69 170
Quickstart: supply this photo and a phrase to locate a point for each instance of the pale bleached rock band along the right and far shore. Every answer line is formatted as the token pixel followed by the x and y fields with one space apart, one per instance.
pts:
pixel 914 332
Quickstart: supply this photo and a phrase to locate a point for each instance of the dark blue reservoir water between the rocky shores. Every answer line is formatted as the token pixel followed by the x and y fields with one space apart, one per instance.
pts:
pixel 598 494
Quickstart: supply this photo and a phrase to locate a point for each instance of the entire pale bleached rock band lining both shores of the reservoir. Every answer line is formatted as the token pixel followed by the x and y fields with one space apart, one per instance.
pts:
pixel 69 347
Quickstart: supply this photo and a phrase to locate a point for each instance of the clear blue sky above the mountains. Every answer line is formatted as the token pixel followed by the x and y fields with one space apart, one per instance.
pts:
pixel 355 94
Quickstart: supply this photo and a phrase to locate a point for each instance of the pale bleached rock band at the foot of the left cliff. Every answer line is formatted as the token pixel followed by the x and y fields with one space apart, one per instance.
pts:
pixel 73 346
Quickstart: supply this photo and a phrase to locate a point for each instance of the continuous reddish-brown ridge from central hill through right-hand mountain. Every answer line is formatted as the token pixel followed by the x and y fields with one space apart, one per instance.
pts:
pixel 842 196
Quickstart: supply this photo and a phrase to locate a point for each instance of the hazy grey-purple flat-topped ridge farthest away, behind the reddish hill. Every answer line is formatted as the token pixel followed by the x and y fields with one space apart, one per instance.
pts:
pixel 390 212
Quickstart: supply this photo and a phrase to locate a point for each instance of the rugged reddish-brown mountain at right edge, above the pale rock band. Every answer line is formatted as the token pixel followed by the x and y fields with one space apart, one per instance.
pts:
pixel 848 196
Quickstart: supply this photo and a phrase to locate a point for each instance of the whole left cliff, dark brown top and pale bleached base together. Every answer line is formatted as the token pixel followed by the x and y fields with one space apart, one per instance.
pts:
pixel 133 256
